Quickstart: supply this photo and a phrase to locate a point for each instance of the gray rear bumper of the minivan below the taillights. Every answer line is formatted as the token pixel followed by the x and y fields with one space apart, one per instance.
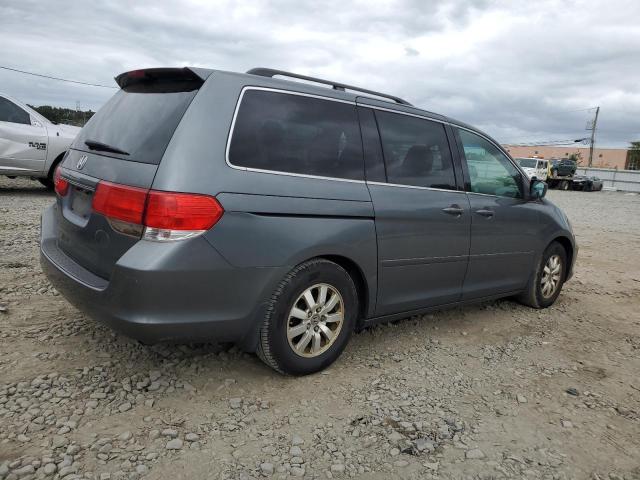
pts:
pixel 159 292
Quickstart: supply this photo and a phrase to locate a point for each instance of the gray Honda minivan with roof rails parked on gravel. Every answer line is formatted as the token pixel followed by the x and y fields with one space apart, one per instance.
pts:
pixel 201 205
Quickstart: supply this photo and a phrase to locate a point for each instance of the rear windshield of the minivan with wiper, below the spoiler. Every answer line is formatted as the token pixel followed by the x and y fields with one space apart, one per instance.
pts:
pixel 140 123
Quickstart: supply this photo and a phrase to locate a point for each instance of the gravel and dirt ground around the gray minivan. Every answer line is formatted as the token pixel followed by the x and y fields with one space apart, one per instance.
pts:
pixel 495 390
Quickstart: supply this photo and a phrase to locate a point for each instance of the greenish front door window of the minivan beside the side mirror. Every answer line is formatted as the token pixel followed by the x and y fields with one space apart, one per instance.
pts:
pixel 490 171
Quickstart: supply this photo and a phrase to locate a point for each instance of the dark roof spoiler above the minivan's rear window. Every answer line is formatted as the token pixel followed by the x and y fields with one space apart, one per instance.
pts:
pixel 151 78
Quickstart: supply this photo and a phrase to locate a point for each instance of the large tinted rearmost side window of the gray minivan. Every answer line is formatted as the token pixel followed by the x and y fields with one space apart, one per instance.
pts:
pixel 297 134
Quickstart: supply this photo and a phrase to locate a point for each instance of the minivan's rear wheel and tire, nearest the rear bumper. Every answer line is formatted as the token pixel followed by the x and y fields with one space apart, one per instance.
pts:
pixel 309 318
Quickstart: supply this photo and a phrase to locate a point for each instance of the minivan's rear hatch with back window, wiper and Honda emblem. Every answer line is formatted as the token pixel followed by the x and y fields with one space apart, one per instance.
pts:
pixel 122 144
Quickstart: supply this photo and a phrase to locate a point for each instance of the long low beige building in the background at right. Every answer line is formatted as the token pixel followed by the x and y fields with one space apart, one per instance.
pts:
pixel 602 157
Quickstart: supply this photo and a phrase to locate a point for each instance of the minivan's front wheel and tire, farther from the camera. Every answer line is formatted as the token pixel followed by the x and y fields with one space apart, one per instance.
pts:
pixel 547 280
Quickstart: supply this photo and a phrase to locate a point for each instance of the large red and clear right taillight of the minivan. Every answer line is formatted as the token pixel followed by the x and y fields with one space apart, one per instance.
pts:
pixel 165 216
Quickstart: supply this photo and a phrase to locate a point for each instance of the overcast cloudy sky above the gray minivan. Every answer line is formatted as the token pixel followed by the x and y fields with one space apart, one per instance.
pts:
pixel 517 69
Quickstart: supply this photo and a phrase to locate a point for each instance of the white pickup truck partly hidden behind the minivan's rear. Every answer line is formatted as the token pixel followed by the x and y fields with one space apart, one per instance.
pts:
pixel 31 145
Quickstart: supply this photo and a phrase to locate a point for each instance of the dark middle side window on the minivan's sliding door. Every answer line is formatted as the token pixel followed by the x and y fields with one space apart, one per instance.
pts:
pixel 416 151
